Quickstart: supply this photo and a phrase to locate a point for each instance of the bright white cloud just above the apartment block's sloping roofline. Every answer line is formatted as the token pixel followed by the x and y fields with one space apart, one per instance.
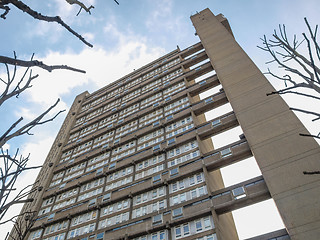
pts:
pixel 101 67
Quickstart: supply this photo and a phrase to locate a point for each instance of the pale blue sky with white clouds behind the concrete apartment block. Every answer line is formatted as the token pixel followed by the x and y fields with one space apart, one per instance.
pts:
pixel 126 37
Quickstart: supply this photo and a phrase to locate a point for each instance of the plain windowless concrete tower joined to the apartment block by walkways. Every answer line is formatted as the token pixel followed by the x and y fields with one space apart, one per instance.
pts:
pixel 271 129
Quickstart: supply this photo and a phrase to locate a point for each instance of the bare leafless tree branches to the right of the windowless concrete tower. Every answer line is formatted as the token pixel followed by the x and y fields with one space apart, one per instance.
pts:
pixel 302 76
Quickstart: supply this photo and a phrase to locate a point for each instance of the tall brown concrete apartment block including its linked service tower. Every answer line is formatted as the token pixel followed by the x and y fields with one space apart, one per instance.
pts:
pixel 135 159
